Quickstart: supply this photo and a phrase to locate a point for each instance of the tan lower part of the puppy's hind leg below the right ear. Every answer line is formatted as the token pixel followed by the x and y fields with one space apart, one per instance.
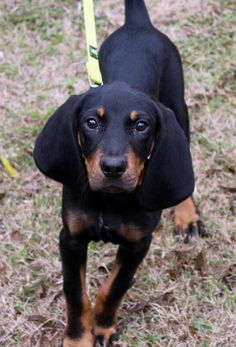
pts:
pixel 185 213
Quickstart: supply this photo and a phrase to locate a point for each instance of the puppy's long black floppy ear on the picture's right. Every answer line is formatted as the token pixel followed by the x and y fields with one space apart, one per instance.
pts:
pixel 168 177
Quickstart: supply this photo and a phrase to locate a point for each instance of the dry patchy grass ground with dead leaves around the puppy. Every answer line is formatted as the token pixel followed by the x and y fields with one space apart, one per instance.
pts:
pixel 183 295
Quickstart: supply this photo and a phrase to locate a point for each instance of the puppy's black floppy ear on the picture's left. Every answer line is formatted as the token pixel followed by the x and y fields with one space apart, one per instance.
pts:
pixel 57 152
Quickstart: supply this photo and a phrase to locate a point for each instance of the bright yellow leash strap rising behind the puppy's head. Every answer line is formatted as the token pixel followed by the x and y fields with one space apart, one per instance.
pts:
pixel 94 74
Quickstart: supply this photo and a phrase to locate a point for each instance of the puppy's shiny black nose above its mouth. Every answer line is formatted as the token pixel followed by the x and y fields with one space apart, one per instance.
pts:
pixel 113 167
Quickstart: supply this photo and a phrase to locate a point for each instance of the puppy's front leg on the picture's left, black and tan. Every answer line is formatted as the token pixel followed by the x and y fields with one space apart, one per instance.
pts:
pixel 74 256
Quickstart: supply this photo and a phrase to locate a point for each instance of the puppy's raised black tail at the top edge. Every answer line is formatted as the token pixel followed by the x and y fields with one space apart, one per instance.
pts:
pixel 136 13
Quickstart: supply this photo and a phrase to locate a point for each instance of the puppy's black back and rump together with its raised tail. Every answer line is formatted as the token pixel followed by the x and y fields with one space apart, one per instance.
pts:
pixel 137 52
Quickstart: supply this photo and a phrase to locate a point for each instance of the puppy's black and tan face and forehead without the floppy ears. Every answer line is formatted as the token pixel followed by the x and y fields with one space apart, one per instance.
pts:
pixel 116 135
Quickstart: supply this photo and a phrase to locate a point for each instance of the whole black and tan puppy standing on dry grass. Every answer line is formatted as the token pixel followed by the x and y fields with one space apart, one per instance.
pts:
pixel 121 152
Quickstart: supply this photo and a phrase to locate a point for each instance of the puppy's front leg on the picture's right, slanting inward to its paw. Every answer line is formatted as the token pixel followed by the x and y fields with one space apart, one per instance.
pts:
pixel 111 293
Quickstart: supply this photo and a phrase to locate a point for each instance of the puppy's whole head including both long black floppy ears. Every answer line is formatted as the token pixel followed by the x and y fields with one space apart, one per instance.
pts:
pixel 104 138
